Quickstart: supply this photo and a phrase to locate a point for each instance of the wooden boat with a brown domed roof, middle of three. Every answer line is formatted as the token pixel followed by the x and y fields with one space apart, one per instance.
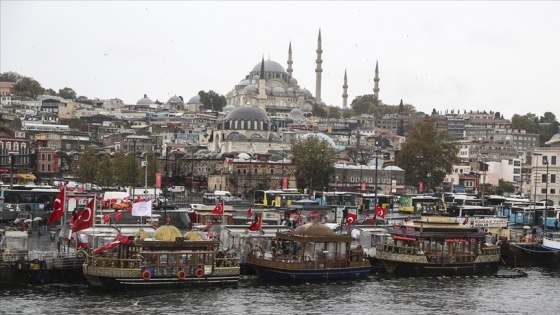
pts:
pixel 312 252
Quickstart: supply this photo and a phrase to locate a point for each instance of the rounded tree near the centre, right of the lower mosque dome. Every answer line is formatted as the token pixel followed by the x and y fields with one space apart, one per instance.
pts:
pixel 315 159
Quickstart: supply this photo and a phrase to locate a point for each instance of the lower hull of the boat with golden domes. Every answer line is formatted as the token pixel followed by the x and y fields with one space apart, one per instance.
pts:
pixel 131 278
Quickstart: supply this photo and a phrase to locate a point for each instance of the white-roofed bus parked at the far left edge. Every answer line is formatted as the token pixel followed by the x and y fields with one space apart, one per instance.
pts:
pixel 30 199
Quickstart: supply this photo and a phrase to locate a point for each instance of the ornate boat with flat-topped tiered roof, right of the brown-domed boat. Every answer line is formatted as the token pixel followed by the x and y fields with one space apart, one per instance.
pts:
pixel 436 245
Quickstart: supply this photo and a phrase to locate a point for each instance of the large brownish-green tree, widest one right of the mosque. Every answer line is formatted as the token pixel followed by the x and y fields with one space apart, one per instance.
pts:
pixel 427 151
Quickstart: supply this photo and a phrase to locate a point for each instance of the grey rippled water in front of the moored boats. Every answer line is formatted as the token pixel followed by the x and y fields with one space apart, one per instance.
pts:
pixel 535 294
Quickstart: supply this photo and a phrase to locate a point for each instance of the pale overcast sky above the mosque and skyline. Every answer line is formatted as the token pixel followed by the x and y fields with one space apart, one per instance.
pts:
pixel 502 56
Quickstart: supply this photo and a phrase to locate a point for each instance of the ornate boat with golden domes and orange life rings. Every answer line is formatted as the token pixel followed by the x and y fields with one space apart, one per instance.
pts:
pixel 166 258
